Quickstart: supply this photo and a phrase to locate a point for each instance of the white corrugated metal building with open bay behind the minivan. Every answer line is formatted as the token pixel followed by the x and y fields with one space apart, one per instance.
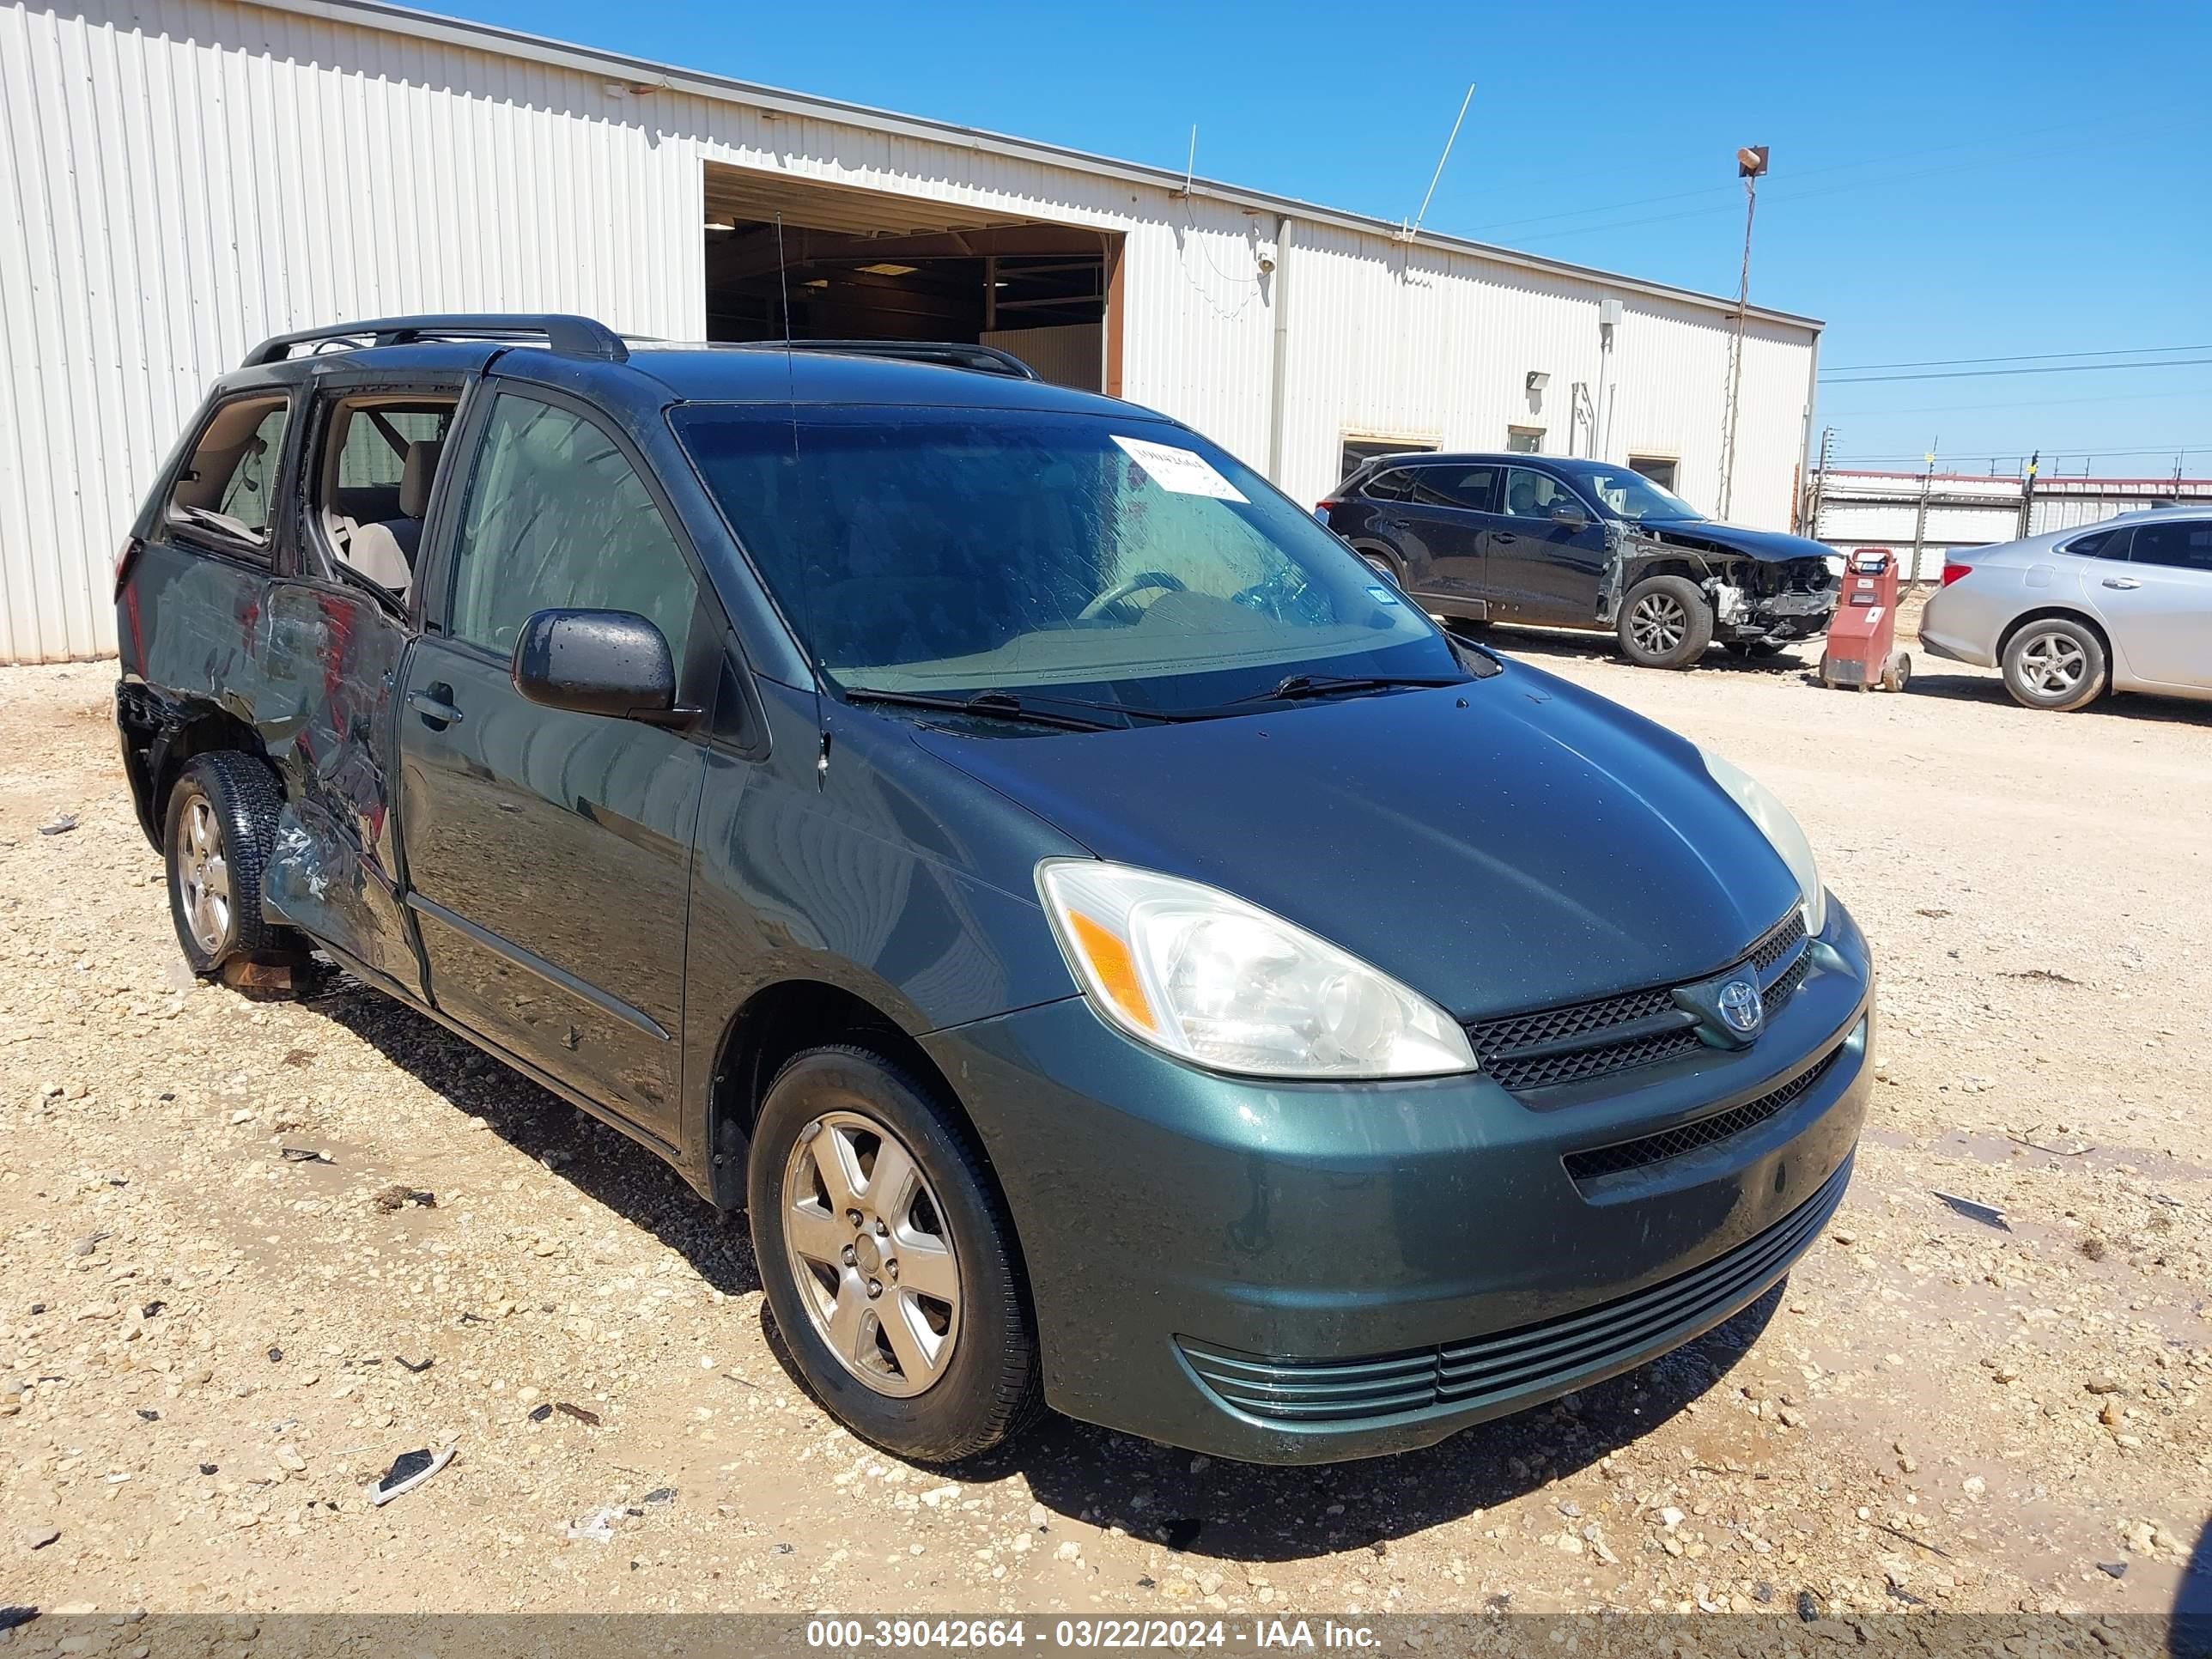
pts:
pixel 187 178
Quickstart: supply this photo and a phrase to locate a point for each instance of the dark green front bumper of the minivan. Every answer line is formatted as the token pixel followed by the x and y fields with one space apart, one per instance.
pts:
pixel 1302 1273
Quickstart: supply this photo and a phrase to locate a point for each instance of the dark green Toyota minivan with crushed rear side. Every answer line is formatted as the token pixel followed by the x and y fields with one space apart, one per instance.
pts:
pixel 1120 954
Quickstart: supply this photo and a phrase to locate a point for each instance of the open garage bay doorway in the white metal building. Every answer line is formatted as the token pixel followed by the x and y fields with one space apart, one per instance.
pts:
pixel 881 267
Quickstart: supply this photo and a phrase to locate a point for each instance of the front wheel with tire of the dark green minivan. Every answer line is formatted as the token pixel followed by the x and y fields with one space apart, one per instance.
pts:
pixel 888 1260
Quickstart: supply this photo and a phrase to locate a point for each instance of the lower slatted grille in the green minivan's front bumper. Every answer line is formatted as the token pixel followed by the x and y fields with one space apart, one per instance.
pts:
pixel 1525 1364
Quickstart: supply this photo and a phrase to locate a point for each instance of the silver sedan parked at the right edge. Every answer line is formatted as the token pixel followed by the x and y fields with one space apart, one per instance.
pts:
pixel 2125 605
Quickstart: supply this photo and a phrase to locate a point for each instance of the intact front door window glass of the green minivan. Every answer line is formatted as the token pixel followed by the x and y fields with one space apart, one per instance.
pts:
pixel 559 519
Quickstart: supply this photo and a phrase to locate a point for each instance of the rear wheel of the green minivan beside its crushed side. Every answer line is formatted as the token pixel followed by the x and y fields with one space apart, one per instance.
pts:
pixel 222 826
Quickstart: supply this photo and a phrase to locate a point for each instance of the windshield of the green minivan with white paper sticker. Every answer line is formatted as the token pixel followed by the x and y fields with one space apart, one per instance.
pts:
pixel 954 552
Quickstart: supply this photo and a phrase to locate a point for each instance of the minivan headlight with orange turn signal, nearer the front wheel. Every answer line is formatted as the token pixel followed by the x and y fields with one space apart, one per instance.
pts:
pixel 1227 985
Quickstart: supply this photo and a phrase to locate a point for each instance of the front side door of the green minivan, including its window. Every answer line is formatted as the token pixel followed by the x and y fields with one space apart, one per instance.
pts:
pixel 547 851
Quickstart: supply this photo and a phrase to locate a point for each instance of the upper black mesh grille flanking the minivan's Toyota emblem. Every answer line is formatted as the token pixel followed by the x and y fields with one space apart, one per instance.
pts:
pixel 1634 1030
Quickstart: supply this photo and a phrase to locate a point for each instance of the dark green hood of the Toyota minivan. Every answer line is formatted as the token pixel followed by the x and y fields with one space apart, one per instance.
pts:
pixel 1499 846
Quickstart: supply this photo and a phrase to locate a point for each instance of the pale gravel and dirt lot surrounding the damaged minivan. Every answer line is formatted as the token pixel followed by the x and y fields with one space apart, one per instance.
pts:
pixel 207 1350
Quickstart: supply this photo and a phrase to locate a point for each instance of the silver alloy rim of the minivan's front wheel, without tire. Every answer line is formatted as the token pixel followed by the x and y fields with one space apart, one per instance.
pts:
pixel 873 1255
